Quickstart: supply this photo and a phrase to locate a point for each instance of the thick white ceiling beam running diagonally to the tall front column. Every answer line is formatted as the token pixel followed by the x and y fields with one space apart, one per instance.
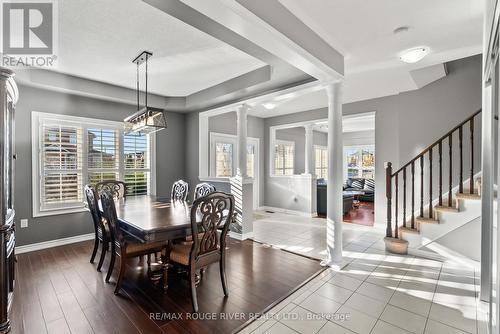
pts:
pixel 273 27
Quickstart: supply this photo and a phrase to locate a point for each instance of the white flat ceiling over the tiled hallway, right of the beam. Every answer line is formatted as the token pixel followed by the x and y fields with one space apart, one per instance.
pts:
pixel 363 31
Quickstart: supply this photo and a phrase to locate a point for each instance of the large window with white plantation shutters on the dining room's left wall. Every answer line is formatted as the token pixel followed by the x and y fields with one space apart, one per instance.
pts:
pixel 69 152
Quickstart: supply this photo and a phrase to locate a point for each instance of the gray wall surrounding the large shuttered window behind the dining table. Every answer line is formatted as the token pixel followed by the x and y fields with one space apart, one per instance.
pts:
pixel 170 158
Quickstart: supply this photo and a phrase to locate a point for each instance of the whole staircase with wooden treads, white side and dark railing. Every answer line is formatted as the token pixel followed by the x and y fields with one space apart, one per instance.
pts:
pixel 431 205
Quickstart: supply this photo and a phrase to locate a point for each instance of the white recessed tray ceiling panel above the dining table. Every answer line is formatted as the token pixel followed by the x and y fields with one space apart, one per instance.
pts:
pixel 99 38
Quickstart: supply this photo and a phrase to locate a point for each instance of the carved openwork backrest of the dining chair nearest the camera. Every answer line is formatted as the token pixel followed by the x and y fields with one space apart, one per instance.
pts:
pixel 208 215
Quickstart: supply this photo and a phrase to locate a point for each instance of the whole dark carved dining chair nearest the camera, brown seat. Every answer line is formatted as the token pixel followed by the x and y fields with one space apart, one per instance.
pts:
pixel 211 212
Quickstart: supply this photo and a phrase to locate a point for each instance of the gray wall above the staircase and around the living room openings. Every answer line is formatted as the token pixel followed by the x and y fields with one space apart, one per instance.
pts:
pixel 408 122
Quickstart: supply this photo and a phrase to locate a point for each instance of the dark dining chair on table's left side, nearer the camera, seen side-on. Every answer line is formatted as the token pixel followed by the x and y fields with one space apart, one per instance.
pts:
pixel 123 246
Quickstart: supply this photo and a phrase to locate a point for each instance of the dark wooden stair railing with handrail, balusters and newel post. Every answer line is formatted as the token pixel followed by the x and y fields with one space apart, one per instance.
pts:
pixel 392 178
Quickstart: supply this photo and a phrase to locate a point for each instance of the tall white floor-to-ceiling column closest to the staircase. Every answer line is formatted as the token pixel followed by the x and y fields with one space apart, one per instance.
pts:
pixel 334 188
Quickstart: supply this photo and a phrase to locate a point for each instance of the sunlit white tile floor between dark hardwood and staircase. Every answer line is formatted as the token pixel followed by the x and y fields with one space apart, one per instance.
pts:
pixel 376 292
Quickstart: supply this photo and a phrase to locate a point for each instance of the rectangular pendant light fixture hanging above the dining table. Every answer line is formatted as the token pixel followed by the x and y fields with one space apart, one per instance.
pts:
pixel 147 119
